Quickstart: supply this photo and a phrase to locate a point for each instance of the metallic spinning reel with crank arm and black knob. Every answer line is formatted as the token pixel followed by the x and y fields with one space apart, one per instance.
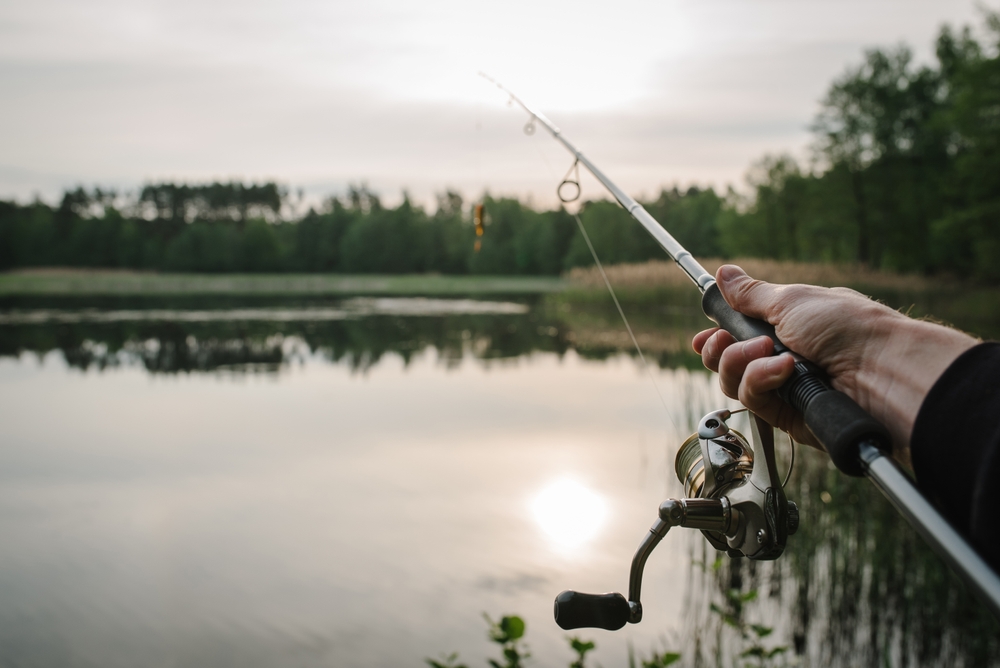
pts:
pixel 736 500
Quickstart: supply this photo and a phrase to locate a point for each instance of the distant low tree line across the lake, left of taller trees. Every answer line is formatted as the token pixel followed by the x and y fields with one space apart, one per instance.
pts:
pixel 237 228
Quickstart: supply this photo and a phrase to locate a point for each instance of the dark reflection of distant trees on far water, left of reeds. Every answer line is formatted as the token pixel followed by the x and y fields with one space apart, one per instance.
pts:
pixel 166 346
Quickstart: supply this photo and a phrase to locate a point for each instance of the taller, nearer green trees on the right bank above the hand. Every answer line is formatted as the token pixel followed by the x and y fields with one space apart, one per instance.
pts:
pixel 906 168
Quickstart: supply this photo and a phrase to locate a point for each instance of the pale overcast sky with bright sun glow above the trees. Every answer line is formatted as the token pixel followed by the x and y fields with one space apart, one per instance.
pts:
pixel 319 95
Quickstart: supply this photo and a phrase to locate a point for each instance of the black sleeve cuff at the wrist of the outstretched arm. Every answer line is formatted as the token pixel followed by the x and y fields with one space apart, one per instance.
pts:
pixel 955 447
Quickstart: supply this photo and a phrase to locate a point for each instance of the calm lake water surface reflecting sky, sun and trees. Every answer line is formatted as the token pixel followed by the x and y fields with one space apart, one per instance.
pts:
pixel 354 483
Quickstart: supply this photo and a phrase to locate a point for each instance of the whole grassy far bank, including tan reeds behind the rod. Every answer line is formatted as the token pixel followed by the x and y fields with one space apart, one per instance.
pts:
pixel 657 295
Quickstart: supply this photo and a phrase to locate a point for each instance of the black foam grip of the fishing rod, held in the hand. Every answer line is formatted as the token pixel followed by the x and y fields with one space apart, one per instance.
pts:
pixel 837 422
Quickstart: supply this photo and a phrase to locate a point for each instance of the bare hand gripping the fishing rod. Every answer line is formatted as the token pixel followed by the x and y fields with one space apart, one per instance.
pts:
pixel 882 359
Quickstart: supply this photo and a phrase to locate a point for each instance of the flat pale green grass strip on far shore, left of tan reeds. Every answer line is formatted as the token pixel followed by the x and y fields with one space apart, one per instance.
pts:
pixel 80 283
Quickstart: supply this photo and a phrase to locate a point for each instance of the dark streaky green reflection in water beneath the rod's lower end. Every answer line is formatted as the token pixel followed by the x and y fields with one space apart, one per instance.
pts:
pixel 857 586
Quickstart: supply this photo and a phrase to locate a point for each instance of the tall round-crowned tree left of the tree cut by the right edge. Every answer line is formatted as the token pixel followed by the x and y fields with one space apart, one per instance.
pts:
pixel 880 124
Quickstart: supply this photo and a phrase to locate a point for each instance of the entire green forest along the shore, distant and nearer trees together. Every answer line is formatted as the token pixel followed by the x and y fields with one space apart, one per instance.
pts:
pixel 904 176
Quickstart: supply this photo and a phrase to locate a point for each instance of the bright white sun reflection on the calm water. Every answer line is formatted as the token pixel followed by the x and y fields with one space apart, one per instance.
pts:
pixel 569 513
